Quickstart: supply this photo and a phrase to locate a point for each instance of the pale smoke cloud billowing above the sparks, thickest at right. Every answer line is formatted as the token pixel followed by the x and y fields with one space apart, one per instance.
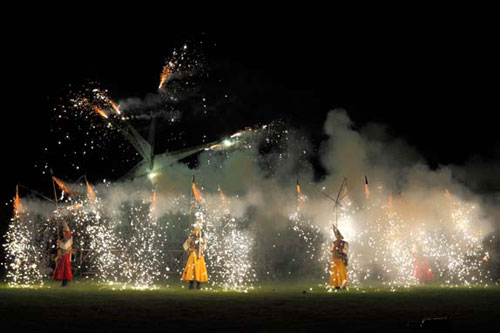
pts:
pixel 261 189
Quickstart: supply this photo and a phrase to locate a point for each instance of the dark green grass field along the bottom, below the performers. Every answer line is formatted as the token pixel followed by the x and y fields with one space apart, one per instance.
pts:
pixel 90 307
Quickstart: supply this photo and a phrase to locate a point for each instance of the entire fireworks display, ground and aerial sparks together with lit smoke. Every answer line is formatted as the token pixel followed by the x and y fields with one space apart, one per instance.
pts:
pixel 129 233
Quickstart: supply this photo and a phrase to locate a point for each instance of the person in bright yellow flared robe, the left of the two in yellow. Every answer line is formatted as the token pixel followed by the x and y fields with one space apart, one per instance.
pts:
pixel 195 270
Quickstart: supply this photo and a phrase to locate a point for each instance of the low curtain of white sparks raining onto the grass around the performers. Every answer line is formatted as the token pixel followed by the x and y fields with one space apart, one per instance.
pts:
pixel 128 246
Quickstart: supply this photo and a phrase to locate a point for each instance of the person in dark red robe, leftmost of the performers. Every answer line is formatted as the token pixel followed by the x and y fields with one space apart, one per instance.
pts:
pixel 63 260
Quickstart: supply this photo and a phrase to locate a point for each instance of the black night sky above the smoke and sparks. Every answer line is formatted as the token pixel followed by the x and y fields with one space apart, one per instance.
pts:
pixel 432 85
